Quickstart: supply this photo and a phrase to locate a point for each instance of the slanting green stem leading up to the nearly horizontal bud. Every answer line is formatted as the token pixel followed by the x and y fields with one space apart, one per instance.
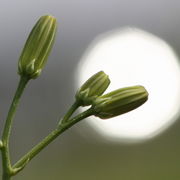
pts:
pixel 48 139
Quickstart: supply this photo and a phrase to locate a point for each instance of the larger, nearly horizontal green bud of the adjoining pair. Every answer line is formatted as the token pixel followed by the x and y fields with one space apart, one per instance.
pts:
pixel 119 101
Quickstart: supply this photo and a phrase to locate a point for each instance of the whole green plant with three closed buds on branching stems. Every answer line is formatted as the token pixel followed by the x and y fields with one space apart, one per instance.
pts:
pixel 31 63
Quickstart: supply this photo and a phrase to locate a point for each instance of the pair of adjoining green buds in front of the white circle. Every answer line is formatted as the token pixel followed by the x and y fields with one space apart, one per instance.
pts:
pixel 112 104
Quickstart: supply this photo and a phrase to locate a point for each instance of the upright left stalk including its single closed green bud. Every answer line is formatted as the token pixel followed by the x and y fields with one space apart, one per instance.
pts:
pixel 31 62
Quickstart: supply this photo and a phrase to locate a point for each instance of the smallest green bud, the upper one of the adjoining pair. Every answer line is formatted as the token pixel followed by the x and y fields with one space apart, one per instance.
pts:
pixel 92 88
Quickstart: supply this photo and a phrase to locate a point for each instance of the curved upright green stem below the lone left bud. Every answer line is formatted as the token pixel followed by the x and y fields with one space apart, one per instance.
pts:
pixel 6 163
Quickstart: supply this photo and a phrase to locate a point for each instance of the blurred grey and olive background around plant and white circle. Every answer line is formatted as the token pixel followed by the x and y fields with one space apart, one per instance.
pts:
pixel 76 155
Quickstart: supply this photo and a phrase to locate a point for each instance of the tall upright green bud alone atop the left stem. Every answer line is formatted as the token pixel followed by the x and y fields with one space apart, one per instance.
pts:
pixel 37 47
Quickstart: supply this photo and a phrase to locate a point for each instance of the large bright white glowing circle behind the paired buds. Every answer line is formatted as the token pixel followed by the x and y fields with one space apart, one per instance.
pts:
pixel 134 57
